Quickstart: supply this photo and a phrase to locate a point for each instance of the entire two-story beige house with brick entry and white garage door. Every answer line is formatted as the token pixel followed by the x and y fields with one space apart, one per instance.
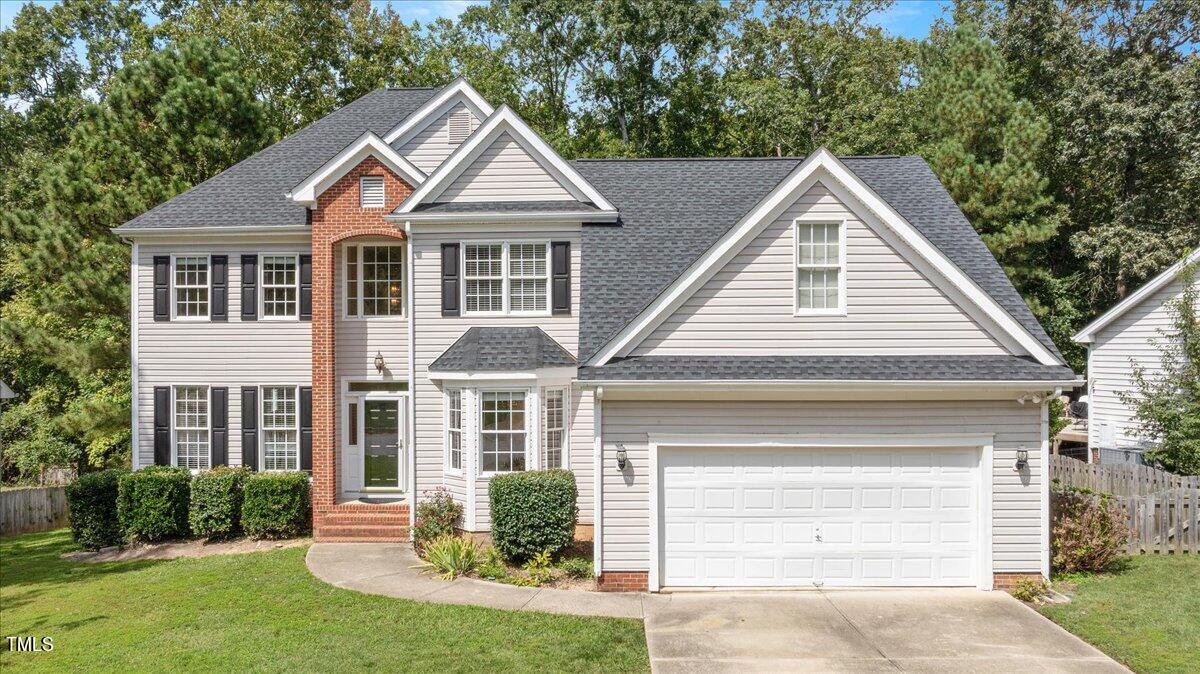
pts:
pixel 763 372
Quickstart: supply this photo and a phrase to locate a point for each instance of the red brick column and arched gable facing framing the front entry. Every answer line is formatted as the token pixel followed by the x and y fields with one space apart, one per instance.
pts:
pixel 337 218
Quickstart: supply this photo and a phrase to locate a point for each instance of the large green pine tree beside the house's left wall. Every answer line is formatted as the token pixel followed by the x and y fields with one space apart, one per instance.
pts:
pixel 169 122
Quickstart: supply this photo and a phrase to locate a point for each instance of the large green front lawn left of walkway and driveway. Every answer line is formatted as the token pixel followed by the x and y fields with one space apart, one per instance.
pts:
pixel 263 612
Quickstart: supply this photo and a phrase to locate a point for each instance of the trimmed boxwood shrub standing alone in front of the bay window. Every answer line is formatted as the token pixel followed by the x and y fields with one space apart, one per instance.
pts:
pixel 532 513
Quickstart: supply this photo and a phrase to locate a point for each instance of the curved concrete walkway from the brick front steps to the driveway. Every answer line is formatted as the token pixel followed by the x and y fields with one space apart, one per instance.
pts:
pixel 389 570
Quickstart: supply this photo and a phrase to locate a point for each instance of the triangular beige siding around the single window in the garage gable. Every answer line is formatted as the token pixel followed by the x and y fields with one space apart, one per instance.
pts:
pixel 748 308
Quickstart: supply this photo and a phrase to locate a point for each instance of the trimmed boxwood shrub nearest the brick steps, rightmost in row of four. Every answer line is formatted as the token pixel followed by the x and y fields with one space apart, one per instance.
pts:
pixel 275 505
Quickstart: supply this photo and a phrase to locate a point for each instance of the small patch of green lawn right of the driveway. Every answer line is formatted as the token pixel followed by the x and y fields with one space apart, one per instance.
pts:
pixel 1147 615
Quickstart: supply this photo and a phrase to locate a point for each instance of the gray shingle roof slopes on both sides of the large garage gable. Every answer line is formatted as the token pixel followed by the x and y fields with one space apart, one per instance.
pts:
pixel 674 210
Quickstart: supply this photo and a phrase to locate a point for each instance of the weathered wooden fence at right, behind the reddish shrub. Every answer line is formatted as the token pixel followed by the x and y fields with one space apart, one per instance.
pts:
pixel 1162 509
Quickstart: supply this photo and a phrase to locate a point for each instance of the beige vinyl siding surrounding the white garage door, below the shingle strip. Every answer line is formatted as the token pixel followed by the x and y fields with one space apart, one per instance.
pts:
pixel 1017 507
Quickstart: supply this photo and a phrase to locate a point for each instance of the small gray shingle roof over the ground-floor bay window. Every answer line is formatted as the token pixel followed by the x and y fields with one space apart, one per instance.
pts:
pixel 503 350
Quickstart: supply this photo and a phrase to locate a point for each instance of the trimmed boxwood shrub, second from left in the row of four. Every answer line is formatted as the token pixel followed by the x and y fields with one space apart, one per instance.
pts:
pixel 152 503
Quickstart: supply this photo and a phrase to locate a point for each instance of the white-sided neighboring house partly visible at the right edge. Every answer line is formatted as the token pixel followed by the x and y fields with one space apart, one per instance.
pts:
pixel 1118 342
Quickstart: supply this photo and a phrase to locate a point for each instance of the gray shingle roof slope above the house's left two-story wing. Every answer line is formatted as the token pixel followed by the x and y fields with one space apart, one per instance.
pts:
pixel 253 192
